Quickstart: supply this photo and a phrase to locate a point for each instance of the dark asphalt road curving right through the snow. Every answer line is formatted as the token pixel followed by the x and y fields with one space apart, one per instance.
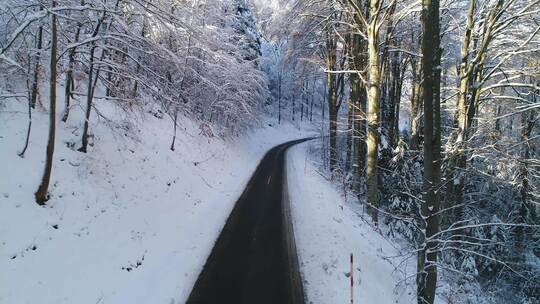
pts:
pixel 254 259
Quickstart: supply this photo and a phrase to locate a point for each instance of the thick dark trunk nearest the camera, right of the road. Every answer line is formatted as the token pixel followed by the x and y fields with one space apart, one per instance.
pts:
pixel 427 266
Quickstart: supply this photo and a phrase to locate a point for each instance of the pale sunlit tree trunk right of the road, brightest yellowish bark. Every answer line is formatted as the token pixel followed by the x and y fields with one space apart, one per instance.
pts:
pixel 373 111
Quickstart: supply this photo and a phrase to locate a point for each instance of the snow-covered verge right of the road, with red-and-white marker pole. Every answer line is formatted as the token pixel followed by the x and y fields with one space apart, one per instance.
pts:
pixel 327 230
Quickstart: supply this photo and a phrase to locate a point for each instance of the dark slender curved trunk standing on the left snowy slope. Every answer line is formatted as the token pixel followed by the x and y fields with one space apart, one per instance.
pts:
pixel 41 194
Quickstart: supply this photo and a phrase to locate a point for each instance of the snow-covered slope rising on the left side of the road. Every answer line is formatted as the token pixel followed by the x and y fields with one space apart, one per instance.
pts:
pixel 129 222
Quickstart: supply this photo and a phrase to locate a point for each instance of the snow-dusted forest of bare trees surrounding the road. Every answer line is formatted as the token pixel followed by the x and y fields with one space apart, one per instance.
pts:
pixel 427 111
